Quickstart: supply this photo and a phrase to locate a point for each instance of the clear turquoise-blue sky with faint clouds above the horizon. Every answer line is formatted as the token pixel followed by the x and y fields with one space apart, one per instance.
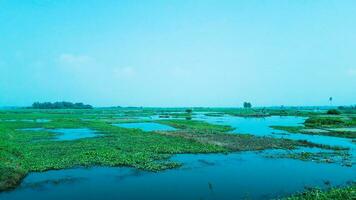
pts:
pixel 178 52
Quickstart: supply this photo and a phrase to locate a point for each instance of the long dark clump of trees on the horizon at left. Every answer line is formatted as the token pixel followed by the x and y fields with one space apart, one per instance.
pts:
pixel 60 105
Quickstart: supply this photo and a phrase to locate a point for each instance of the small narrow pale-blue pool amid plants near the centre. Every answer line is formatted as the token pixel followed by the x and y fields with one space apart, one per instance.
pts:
pixel 147 126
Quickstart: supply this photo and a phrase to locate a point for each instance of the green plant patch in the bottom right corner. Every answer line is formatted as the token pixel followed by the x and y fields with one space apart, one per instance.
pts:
pixel 342 193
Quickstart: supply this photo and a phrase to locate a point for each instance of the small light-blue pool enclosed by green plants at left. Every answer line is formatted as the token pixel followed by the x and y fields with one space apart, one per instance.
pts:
pixel 67 134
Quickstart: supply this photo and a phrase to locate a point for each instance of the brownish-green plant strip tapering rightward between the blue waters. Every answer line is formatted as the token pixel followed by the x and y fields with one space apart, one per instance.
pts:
pixel 212 134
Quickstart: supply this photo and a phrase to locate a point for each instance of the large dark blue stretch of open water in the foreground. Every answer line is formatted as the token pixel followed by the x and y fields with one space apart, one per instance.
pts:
pixel 212 176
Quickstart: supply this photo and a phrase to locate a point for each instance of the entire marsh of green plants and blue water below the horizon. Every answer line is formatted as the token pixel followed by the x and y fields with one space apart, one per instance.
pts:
pixel 212 154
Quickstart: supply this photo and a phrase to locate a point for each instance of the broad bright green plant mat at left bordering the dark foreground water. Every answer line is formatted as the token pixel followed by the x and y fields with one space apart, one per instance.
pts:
pixel 23 152
